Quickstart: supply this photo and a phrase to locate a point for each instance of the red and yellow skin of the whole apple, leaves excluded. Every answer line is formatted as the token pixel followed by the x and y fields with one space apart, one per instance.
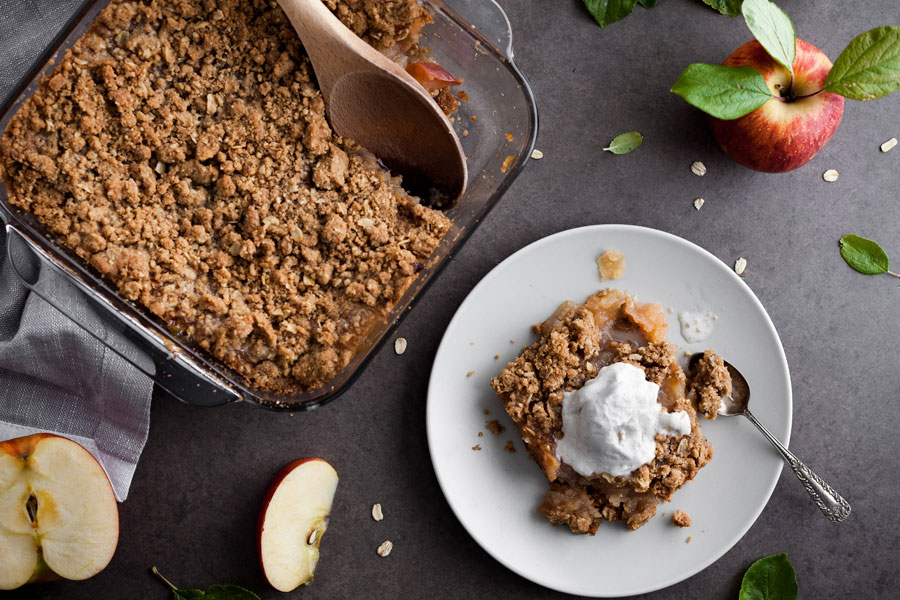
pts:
pixel 781 136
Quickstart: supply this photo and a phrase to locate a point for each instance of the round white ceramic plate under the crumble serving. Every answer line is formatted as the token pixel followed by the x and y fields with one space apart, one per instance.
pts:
pixel 495 493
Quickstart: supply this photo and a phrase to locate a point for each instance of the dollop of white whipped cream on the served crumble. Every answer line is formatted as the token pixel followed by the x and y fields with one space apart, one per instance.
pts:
pixel 609 425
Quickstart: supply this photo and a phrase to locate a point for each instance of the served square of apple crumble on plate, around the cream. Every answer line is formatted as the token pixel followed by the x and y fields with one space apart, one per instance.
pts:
pixel 576 341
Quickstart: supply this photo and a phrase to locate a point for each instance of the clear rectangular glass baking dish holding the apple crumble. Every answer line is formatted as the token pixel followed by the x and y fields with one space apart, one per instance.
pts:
pixel 470 38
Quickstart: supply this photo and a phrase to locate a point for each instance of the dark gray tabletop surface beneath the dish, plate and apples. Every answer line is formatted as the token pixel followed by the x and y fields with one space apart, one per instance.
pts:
pixel 192 508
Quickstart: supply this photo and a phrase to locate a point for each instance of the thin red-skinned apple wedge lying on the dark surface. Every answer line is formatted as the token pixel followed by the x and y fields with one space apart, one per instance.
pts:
pixel 292 520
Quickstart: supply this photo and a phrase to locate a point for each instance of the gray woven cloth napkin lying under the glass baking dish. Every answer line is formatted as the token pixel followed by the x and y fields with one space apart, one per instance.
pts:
pixel 53 375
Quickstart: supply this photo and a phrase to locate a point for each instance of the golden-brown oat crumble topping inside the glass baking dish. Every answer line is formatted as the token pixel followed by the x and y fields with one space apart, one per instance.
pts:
pixel 181 148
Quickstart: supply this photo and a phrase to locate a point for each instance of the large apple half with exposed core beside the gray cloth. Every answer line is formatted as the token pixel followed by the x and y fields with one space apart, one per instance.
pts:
pixel 58 513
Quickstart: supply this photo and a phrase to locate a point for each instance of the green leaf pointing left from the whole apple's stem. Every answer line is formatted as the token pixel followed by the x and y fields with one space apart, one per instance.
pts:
pixel 723 92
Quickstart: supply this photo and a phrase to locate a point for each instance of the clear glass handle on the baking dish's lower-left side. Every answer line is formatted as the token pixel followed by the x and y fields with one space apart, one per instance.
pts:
pixel 172 371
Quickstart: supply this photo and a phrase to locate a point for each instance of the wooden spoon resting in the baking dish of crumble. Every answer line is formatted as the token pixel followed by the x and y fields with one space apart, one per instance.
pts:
pixel 374 102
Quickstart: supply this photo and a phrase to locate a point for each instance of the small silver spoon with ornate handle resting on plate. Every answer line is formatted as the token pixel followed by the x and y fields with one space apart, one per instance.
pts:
pixel 829 501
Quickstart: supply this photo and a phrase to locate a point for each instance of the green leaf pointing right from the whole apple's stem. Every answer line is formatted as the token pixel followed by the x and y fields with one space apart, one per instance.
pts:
pixel 869 68
